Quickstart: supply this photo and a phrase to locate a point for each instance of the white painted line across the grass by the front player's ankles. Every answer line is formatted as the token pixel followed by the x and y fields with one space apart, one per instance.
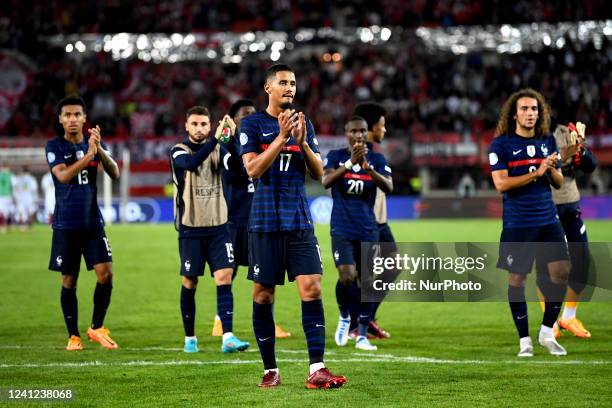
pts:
pixel 380 359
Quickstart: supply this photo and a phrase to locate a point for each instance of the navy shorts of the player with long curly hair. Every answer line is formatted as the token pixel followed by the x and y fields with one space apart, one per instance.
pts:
pixel 519 247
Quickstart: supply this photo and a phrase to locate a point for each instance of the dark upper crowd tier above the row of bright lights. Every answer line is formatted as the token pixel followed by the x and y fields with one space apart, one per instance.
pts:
pixel 21 19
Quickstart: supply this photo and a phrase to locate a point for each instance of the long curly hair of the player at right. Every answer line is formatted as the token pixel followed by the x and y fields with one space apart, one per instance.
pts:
pixel 507 122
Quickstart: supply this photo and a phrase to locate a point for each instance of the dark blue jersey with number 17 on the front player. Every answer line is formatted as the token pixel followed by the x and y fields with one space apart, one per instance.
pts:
pixel 279 201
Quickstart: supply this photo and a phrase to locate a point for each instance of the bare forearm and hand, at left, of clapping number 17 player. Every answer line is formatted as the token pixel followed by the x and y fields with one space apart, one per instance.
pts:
pixel 257 164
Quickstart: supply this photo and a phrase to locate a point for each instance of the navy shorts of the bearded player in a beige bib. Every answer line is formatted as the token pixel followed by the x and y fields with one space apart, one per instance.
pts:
pixel 216 250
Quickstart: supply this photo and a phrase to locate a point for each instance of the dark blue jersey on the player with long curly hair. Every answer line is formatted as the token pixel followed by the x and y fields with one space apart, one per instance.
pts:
pixel 530 205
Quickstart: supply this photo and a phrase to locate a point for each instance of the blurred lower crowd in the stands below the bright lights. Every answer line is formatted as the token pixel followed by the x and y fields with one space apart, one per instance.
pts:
pixel 421 92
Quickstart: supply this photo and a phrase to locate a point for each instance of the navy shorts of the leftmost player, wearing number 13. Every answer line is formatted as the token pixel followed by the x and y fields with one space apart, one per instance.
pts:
pixel 67 246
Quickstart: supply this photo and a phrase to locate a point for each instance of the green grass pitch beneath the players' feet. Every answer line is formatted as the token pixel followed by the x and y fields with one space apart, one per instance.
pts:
pixel 441 354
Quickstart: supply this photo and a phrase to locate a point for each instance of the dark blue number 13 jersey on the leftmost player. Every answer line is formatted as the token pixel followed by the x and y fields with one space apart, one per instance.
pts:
pixel 76 204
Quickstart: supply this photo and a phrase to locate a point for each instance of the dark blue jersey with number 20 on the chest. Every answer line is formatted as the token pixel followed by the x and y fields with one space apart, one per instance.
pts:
pixel 354 196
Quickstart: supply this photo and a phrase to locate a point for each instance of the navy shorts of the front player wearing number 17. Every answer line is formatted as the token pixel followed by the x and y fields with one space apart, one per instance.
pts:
pixel 273 253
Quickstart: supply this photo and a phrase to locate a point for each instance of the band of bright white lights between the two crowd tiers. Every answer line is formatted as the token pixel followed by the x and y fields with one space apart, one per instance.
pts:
pixel 505 38
